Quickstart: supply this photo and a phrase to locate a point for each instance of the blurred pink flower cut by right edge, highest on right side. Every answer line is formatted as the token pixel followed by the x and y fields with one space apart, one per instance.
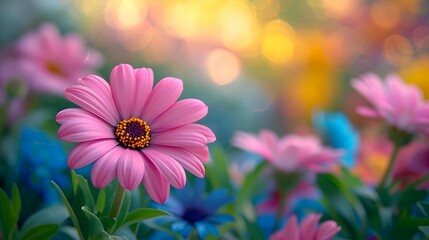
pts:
pixel 401 105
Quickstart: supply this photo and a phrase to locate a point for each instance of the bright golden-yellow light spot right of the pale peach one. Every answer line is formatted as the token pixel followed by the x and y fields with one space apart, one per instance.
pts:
pixel 277 43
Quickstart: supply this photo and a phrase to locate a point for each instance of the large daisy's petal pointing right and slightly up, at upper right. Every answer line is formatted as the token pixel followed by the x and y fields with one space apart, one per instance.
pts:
pixel 181 113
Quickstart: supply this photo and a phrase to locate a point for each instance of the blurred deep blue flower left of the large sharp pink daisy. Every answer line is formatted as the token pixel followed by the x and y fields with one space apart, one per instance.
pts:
pixel 42 159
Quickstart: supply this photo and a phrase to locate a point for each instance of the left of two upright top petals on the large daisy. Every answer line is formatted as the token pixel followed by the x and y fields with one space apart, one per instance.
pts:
pixel 123 85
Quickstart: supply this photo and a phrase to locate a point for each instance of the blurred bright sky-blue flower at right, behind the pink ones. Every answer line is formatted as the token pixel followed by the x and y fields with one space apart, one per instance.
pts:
pixel 339 132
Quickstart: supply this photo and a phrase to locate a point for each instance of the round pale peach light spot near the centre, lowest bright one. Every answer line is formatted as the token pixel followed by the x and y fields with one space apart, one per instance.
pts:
pixel 223 66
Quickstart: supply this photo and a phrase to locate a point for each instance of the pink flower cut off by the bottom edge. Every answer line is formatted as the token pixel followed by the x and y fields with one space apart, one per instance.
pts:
pixel 307 230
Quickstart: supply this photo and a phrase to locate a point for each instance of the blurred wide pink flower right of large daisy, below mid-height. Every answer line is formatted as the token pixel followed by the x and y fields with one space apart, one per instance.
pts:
pixel 290 153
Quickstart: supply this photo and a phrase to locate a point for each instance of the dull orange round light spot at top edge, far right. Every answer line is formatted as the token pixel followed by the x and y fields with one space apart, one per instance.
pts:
pixel 385 14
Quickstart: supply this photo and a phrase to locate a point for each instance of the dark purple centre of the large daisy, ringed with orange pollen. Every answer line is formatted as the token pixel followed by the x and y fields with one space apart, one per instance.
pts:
pixel 133 133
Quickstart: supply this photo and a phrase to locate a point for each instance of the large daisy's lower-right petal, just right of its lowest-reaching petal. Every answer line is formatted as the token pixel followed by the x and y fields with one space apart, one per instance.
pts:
pixel 168 167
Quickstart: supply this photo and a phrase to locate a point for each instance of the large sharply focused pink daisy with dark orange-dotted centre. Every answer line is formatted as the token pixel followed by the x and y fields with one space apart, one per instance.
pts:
pixel 135 133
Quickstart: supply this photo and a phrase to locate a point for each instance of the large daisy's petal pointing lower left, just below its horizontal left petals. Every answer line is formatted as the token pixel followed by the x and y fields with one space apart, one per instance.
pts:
pixel 85 153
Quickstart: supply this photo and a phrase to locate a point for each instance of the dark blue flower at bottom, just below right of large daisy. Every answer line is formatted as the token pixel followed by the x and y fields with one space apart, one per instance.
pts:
pixel 191 209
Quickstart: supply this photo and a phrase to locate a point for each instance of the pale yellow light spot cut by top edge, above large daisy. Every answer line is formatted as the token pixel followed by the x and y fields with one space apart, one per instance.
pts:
pixel 125 14
